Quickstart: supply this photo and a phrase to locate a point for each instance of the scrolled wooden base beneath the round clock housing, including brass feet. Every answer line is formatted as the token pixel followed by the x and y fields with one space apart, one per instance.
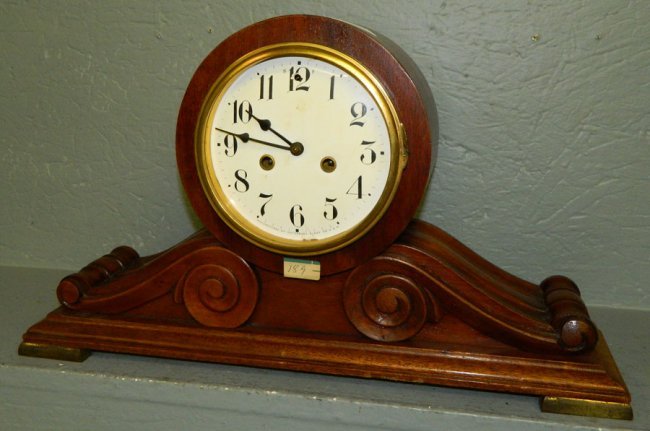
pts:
pixel 427 310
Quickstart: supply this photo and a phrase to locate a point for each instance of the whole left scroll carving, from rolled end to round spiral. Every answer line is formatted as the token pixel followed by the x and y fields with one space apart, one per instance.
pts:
pixel 222 293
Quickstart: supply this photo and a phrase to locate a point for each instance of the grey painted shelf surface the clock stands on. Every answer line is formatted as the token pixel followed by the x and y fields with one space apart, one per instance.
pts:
pixel 116 391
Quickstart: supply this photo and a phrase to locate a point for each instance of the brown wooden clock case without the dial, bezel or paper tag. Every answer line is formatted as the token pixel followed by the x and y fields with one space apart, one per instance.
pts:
pixel 407 302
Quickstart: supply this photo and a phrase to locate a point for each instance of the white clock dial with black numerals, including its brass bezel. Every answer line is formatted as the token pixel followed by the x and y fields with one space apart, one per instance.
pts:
pixel 299 149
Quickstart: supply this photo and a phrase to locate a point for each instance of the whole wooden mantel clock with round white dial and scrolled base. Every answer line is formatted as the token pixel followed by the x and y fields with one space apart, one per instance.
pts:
pixel 305 145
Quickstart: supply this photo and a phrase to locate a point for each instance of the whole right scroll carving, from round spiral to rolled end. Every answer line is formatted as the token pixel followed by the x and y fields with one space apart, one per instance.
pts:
pixel 427 263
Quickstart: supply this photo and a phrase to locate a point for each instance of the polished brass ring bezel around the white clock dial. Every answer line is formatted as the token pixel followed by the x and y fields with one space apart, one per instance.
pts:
pixel 214 192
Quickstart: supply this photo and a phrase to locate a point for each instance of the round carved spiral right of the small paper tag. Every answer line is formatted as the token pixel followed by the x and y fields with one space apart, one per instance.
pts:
pixel 386 306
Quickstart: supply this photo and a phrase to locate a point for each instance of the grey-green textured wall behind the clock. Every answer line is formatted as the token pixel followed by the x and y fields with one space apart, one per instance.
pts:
pixel 544 159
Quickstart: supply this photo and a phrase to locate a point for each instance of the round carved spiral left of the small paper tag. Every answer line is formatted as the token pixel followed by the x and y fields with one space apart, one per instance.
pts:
pixel 222 294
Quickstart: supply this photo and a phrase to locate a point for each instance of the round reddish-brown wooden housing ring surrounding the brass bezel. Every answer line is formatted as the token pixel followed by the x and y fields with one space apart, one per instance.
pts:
pixel 404 85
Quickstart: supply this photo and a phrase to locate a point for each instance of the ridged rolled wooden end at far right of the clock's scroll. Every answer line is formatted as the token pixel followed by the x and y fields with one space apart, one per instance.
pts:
pixel 569 315
